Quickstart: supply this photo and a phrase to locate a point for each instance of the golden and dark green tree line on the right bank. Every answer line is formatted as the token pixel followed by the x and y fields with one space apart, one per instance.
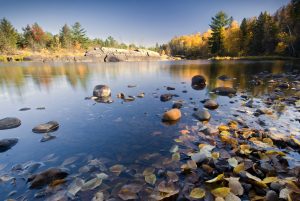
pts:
pixel 277 34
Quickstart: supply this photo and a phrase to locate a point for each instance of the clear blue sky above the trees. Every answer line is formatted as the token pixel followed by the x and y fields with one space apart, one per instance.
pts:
pixel 131 21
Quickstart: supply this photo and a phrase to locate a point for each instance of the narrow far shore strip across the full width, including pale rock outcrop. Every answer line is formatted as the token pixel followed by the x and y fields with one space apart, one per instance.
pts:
pixel 105 54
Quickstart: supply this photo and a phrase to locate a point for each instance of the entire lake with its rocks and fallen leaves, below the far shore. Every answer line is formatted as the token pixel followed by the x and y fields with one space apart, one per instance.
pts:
pixel 171 130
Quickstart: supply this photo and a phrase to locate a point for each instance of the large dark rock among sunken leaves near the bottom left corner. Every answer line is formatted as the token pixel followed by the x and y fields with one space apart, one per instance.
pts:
pixel 46 177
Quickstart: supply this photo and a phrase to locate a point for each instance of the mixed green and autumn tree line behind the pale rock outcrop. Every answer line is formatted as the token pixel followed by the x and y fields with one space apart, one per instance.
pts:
pixel 34 38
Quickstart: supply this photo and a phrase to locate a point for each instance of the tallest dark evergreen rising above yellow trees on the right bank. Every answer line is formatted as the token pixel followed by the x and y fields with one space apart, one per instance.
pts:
pixel 218 25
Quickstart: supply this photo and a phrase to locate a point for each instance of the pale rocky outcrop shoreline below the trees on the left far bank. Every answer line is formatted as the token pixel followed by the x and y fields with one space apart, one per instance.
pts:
pixel 103 54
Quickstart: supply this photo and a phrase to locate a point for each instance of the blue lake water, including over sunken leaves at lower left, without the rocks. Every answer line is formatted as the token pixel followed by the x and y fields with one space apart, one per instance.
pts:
pixel 94 136
